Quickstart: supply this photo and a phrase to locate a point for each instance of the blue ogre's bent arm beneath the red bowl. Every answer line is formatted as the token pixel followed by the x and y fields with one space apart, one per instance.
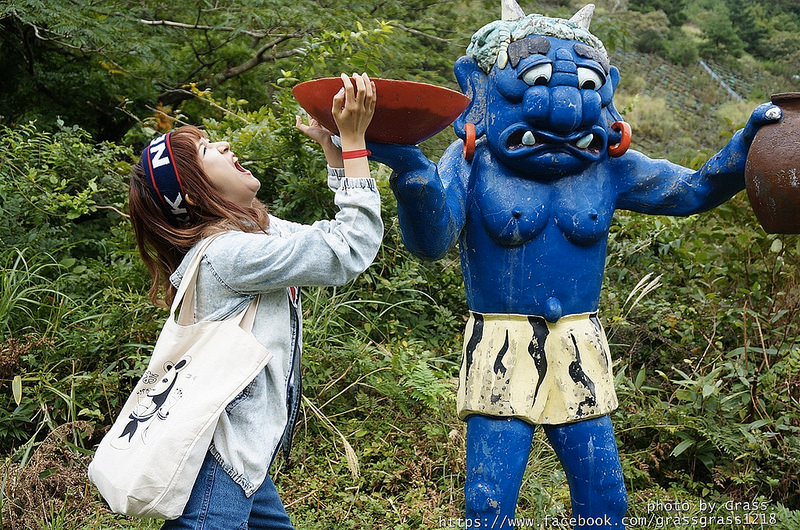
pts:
pixel 430 201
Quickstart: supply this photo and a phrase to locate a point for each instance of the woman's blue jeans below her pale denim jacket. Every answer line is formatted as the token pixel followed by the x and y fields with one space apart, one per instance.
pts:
pixel 218 503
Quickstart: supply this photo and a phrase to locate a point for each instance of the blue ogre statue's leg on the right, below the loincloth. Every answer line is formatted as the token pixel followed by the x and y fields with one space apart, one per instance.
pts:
pixel 588 452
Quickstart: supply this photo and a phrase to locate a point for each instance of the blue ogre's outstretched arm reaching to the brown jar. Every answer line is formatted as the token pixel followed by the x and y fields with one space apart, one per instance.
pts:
pixel 661 187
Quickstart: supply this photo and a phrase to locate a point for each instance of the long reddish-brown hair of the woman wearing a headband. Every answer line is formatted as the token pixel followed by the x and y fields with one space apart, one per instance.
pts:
pixel 163 243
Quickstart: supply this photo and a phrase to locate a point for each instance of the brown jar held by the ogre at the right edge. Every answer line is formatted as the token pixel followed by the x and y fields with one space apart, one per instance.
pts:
pixel 772 172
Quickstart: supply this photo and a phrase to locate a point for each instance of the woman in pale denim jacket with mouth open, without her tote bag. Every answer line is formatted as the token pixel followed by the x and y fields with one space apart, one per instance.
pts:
pixel 187 188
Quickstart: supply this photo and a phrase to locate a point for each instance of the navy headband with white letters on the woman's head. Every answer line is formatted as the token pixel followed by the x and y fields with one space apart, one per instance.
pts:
pixel 162 178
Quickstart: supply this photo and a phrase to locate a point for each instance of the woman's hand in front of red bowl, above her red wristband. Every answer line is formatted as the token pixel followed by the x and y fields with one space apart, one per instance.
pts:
pixel 353 108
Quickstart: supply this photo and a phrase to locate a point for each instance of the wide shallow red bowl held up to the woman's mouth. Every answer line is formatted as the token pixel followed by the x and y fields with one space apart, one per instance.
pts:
pixel 406 112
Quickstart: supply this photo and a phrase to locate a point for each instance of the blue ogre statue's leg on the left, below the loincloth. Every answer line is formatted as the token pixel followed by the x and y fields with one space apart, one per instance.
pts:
pixel 497 452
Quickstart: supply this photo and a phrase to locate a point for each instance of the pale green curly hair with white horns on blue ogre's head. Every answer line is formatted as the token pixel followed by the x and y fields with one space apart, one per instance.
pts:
pixel 489 44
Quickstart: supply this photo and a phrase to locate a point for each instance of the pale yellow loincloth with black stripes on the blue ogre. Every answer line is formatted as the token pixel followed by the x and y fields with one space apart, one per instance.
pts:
pixel 541 372
